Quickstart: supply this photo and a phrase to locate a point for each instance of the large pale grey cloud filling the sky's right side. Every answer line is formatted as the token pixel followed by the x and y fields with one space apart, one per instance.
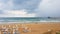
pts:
pixel 49 8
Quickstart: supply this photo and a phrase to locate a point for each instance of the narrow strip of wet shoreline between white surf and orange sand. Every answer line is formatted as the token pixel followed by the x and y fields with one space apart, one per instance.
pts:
pixel 31 23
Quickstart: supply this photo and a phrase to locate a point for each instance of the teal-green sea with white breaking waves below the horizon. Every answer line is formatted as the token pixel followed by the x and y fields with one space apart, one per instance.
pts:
pixel 4 20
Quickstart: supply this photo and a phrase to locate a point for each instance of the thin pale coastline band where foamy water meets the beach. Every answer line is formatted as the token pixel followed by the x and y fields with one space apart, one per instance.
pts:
pixel 29 22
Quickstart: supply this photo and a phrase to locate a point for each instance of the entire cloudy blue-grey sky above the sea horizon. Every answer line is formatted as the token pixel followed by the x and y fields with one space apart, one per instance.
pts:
pixel 29 8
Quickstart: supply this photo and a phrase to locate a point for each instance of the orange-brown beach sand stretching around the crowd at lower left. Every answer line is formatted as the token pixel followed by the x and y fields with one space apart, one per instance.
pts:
pixel 35 28
